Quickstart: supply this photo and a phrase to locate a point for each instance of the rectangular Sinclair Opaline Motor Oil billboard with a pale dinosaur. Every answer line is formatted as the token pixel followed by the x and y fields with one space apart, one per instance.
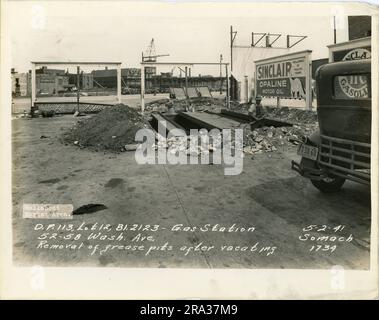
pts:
pixel 285 76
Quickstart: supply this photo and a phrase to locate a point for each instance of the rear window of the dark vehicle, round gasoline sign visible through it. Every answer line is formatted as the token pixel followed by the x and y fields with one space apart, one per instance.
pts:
pixel 354 86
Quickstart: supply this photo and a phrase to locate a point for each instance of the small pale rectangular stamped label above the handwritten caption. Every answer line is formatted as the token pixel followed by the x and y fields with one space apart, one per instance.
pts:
pixel 47 211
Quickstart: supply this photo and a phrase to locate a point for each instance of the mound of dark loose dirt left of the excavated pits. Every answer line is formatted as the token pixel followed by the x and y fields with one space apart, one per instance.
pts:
pixel 109 130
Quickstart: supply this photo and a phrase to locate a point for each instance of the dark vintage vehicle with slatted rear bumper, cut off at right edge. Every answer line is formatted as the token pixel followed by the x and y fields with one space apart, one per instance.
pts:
pixel 340 149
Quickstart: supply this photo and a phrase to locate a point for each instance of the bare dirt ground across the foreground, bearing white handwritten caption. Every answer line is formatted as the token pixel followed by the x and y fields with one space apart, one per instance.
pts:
pixel 267 196
